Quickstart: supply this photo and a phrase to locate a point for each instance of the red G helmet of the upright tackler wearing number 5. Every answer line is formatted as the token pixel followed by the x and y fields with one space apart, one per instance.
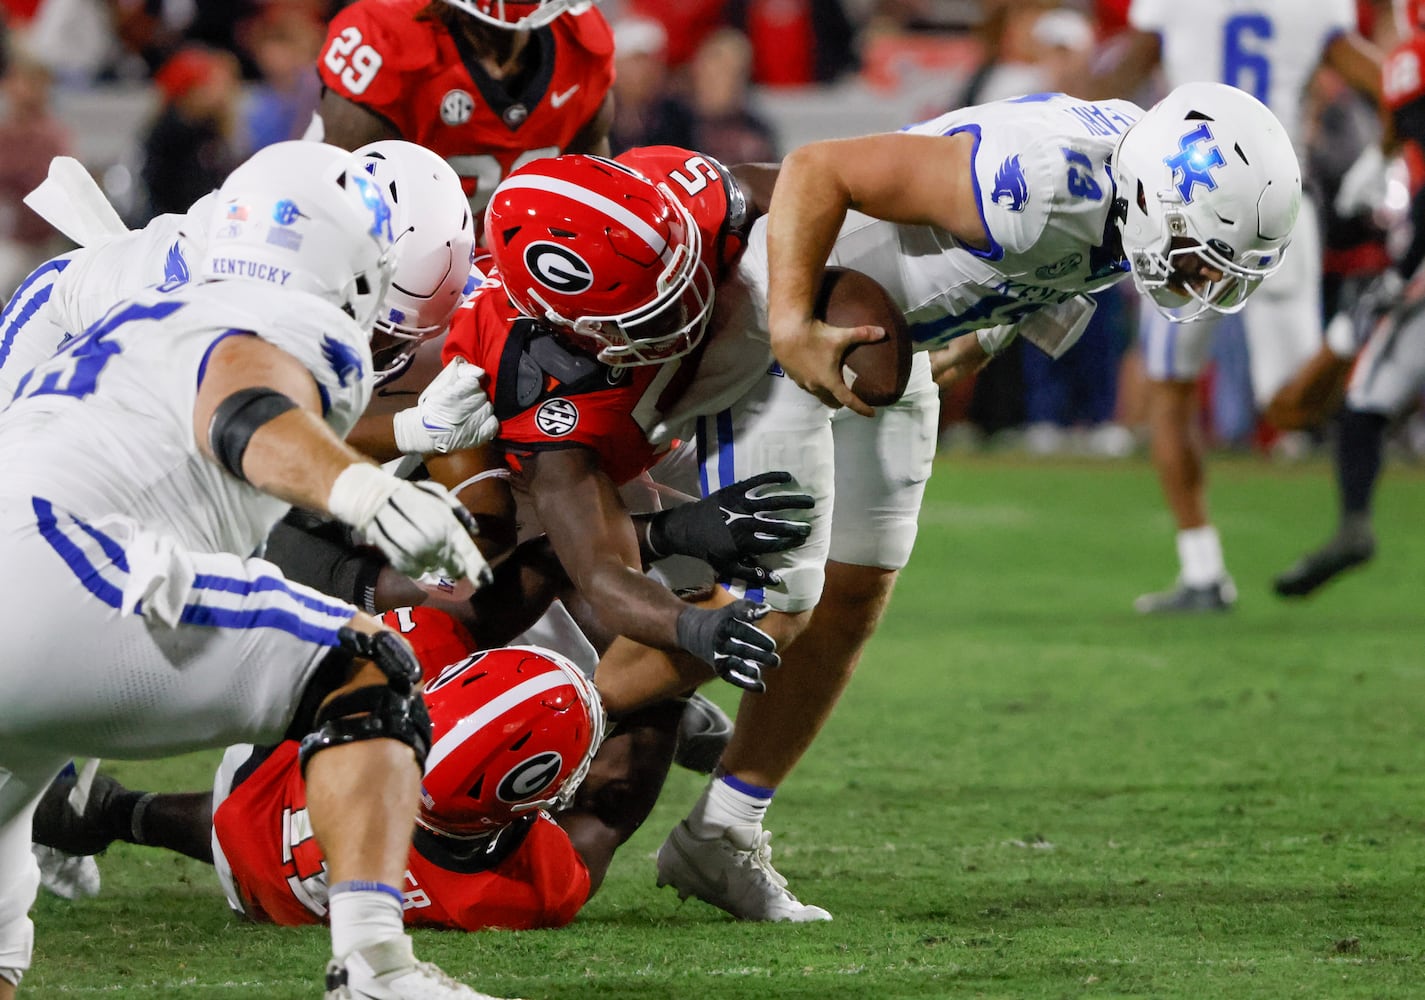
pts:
pixel 608 257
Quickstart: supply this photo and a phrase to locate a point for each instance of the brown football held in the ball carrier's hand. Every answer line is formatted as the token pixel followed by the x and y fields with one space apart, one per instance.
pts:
pixel 877 373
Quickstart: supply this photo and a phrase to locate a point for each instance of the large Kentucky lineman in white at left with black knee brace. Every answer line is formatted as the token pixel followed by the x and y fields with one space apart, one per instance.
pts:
pixel 143 465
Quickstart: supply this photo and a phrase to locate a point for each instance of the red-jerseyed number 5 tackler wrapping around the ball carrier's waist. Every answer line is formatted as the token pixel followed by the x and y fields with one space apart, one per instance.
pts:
pixel 582 370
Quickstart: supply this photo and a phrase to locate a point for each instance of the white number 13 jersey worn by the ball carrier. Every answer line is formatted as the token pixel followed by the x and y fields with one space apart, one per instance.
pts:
pixel 1047 199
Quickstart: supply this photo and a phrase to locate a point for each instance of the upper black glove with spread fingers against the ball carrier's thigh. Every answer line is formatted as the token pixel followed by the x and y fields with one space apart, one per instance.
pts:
pixel 730 528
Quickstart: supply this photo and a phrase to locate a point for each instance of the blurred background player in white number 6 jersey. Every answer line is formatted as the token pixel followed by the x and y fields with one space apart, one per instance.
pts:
pixel 1270 49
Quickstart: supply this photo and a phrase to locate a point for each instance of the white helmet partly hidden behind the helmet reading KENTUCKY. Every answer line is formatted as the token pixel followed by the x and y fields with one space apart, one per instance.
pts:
pixel 434 246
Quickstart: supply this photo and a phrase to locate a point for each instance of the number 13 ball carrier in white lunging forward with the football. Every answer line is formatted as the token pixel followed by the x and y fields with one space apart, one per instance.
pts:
pixel 981 223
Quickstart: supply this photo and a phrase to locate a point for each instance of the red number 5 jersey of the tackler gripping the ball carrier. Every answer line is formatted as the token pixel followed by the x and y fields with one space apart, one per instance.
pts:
pixel 551 397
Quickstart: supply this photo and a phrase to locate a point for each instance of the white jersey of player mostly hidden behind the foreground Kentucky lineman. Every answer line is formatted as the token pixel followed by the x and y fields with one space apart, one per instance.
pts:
pixel 65 296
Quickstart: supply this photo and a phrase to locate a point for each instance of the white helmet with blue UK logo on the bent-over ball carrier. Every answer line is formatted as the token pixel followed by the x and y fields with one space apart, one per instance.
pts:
pixel 1208 172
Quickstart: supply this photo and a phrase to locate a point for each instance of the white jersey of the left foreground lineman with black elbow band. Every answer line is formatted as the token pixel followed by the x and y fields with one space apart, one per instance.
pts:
pixel 106 425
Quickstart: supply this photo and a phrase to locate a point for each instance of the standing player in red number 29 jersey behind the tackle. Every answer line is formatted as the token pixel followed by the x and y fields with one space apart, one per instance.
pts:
pixel 488 85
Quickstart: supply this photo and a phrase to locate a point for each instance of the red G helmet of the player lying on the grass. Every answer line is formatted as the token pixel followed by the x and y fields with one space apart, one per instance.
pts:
pixel 512 730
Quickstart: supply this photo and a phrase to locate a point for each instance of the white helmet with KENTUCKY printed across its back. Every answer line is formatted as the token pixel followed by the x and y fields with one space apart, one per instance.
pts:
pixel 304 216
